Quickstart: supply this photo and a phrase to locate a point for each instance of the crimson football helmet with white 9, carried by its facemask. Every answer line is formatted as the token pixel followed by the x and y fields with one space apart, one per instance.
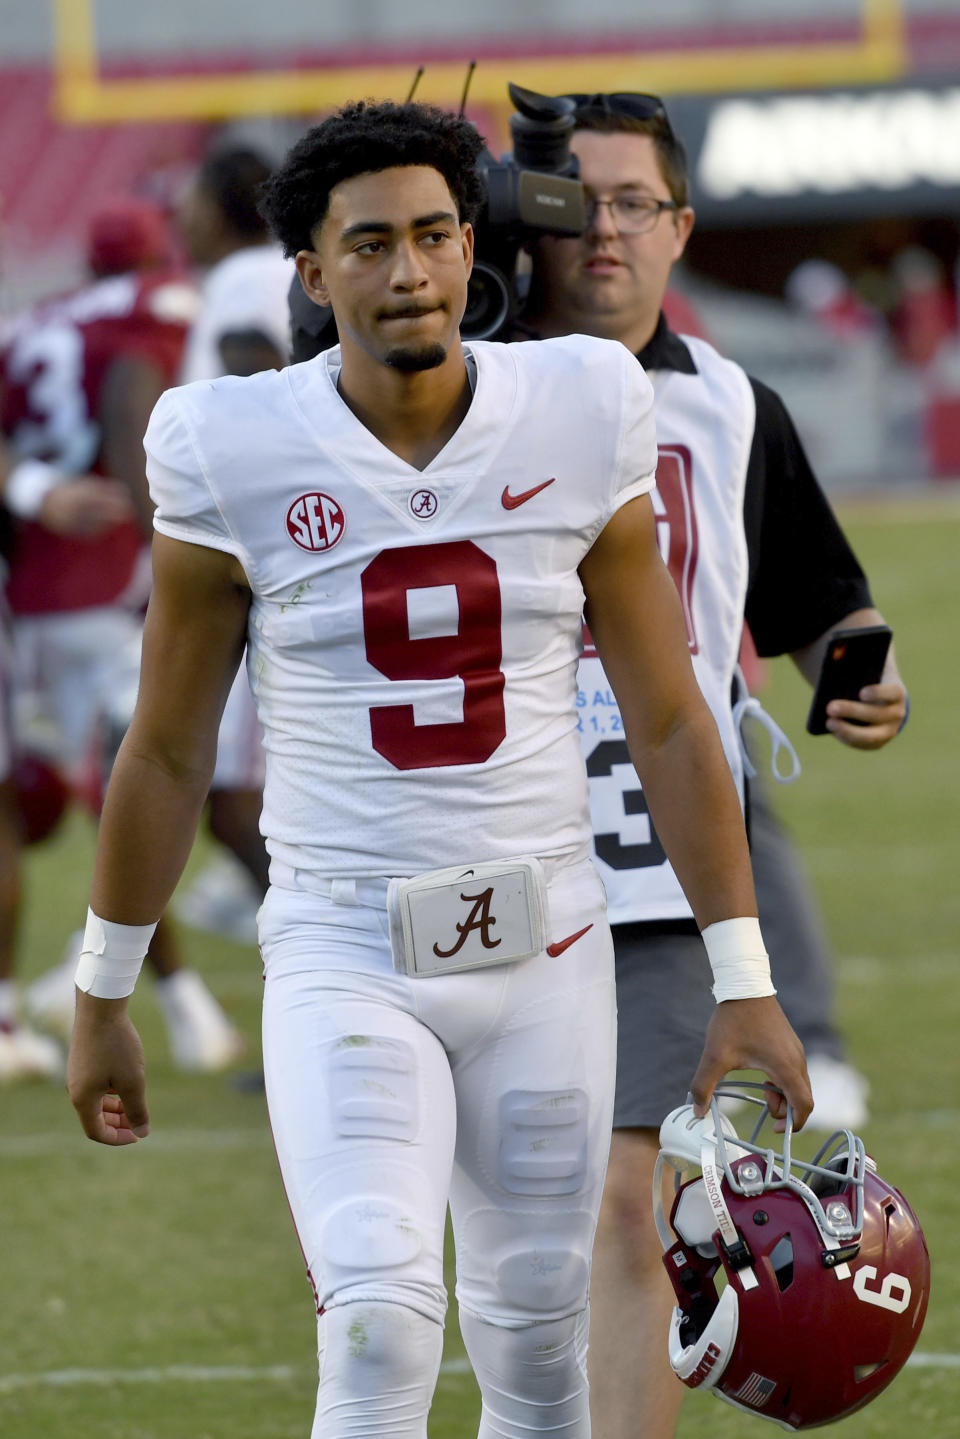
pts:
pixel 825 1266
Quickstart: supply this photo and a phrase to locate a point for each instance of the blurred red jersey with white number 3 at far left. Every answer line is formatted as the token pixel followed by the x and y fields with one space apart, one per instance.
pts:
pixel 54 372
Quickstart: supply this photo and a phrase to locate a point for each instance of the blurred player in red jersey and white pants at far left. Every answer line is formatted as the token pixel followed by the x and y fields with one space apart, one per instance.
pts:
pixel 81 375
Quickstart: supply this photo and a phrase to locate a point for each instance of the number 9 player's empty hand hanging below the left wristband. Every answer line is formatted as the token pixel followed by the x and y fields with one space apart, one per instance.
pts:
pixel 106 1073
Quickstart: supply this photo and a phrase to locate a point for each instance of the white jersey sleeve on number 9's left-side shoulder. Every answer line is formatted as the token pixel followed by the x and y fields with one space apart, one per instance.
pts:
pixel 186 509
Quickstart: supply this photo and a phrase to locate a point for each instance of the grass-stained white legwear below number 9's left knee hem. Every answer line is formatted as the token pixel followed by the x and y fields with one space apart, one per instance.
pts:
pixel 378 1371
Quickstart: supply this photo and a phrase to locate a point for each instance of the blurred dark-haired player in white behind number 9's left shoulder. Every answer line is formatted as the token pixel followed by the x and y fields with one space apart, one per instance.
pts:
pixel 243 327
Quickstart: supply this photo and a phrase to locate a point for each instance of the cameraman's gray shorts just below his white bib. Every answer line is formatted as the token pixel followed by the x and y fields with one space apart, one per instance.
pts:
pixel 664 1005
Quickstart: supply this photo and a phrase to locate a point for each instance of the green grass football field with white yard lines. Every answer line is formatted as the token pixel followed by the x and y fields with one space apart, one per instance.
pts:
pixel 159 1293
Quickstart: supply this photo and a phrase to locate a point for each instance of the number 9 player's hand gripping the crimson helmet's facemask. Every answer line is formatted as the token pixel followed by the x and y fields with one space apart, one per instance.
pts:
pixel 755 1034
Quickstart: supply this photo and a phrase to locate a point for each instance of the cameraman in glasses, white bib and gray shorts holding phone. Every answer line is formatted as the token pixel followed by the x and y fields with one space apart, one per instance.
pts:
pixel 766 549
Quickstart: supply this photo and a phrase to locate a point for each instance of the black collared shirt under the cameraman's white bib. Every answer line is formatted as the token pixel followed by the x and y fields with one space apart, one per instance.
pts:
pixel 802 572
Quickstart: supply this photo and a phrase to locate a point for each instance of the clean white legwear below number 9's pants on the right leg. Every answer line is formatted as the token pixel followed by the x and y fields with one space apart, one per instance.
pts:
pixel 533 1378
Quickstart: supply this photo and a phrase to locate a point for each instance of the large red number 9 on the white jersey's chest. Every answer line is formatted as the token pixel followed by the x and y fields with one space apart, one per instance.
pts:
pixel 474 654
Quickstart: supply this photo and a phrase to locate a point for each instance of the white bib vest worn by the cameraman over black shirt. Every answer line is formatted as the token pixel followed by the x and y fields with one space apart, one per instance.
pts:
pixel 705 430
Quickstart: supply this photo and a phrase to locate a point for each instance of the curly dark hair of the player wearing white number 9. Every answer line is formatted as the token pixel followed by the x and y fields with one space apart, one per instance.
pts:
pixel 362 139
